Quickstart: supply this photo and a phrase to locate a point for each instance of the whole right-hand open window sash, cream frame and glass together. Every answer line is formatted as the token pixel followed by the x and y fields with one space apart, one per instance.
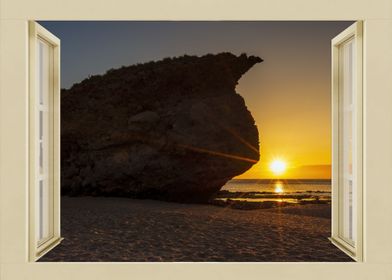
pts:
pixel 347 229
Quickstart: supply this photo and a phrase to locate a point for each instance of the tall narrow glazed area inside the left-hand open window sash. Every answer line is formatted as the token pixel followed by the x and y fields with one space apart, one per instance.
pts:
pixel 42 140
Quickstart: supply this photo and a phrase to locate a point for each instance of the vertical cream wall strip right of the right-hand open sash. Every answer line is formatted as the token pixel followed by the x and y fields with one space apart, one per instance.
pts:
pixel 378 141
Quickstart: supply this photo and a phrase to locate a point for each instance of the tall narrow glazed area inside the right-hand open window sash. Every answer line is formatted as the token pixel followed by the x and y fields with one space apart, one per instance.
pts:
pixel 347 209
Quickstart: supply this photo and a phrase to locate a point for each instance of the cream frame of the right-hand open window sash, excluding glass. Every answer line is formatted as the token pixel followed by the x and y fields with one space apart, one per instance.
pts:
pixel 355 250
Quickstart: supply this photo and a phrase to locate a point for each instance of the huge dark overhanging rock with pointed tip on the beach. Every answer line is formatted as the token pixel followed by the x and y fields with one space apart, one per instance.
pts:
pixel 174 129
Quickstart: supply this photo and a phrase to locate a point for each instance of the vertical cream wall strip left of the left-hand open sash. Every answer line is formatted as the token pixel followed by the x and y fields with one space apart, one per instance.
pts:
pixel 13 140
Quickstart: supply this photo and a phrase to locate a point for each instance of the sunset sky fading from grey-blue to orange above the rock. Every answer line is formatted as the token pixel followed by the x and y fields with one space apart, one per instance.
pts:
pixel 288 93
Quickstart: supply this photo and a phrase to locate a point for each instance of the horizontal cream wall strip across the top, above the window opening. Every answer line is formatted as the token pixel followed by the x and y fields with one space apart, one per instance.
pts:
pixel 197 9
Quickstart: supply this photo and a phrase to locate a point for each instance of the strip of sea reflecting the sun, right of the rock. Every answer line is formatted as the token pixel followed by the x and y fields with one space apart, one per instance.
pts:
pixel 290 191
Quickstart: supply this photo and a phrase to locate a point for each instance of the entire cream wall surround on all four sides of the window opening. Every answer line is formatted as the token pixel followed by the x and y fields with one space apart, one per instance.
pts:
pixel 377 139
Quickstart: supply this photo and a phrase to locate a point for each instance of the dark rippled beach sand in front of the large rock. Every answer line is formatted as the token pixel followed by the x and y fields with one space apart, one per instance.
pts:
pixel 130 230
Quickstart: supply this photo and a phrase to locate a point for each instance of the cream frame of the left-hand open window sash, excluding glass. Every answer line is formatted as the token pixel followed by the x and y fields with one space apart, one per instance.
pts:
pixel 38 248
